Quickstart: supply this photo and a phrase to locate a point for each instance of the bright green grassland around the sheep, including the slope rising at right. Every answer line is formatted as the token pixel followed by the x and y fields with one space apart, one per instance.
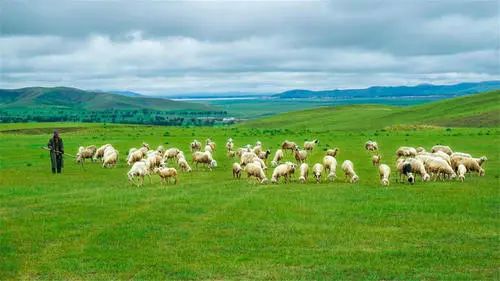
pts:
pixel 92 224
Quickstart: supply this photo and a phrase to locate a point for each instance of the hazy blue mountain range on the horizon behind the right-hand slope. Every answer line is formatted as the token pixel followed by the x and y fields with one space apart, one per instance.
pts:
pixel 398 91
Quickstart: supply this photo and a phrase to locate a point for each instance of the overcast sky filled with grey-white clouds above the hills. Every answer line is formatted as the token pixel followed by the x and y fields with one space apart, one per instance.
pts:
pixel 223 46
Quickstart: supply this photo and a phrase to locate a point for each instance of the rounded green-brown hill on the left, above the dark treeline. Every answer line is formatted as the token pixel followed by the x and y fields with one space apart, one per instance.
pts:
pixel 72 98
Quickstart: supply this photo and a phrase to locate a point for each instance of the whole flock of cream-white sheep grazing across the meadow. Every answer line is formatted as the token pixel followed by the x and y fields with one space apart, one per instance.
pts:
pixel 440 163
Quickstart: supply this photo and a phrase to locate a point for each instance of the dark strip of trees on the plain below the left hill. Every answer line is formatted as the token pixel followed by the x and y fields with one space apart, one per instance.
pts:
pixel 144 116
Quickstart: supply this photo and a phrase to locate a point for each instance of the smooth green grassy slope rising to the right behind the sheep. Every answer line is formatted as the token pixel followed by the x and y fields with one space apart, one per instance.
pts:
pixel 479 110
